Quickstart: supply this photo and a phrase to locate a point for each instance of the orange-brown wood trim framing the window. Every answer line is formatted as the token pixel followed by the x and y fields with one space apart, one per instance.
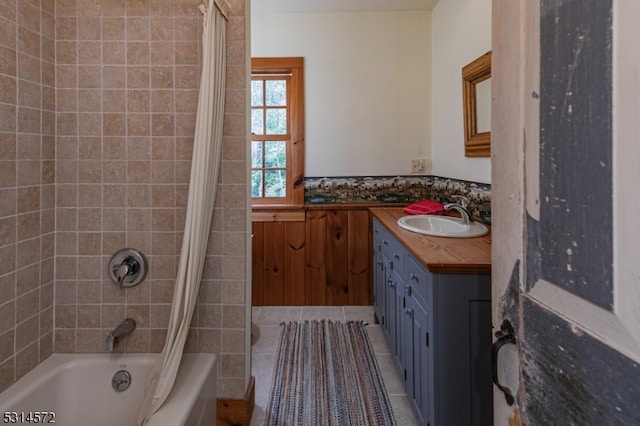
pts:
pixel 295 151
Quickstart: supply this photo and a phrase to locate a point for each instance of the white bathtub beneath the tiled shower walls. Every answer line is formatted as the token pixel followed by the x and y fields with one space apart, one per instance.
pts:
pixel 77 390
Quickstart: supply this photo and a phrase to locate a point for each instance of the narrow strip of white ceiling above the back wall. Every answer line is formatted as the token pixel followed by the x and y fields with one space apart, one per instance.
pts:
pixel 309 6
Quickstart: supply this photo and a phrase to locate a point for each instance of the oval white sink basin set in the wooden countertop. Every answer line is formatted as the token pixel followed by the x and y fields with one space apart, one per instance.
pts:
pixel 442 226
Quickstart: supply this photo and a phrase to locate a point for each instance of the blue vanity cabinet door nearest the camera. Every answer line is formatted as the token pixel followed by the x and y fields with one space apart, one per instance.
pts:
pixel 418 360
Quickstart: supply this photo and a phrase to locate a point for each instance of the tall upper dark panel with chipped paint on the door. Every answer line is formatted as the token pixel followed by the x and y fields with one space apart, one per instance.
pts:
pixel 576 211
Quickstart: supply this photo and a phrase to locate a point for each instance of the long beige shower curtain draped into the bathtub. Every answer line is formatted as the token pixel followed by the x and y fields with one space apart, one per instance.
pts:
pixel 202 193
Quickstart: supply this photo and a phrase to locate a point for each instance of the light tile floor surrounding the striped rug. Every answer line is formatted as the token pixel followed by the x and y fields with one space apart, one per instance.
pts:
pixel 267 319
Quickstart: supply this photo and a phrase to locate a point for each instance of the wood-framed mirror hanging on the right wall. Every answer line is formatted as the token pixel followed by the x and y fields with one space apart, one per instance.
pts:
pixel 476 97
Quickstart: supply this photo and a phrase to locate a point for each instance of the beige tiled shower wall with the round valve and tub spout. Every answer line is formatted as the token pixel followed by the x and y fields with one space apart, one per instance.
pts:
pixel 126 79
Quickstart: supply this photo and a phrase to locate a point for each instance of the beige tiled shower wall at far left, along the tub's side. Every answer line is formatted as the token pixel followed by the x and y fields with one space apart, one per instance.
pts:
pixel 27 190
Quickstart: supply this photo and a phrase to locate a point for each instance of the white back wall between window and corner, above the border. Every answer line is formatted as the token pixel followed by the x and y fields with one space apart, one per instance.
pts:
pixel 367 86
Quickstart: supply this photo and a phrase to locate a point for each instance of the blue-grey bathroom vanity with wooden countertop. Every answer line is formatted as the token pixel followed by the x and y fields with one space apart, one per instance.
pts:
pixel 433 302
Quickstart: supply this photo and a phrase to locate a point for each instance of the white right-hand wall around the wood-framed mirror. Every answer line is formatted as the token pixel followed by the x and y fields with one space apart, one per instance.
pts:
pixel 461 31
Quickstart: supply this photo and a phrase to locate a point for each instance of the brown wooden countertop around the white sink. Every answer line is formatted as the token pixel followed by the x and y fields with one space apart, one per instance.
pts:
pixel 438 254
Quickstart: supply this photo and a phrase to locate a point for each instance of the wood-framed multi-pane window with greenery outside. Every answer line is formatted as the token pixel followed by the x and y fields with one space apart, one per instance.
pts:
pixel 277 131
